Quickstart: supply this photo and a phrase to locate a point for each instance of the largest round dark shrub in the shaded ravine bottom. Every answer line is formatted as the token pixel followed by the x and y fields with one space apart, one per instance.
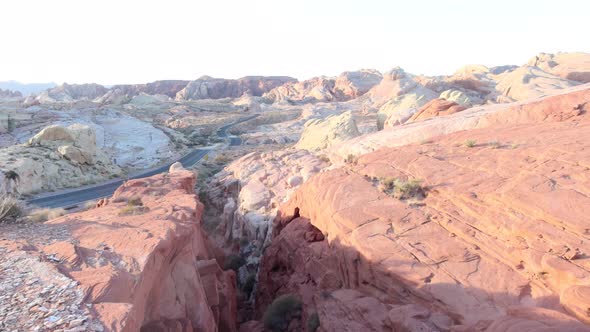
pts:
pixel 281 311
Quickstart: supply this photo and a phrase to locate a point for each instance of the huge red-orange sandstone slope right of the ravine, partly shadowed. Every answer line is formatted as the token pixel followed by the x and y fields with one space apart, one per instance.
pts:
pixel 499 243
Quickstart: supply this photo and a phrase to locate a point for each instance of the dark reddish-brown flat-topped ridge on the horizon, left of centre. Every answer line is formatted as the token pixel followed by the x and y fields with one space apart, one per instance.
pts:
pixel 215 88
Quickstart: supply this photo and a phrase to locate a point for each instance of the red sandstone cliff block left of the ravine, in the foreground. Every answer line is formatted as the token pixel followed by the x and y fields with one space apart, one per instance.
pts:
pixel 140 262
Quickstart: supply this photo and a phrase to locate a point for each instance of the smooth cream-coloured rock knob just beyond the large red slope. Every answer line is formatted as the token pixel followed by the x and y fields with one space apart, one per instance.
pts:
pixel 321 134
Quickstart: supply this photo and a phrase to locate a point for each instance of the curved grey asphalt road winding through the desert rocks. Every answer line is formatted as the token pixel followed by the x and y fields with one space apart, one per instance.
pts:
pixel 72 198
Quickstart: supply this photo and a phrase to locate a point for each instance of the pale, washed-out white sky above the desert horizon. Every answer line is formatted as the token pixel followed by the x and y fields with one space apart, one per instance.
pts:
pixel 138 41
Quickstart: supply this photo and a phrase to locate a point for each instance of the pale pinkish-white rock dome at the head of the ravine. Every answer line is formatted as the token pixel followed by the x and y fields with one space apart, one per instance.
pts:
pixel 249 191
